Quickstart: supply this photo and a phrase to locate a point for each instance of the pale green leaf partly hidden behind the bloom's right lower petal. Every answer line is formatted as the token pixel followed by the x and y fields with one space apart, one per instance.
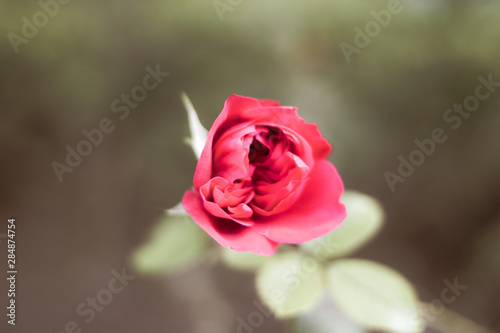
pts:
pixel 364 219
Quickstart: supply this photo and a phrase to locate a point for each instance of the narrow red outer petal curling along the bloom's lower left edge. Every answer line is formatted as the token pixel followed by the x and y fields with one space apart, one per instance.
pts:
pixel 226 232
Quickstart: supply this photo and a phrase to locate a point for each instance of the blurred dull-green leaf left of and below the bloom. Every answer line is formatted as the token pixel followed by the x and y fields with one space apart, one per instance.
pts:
pixel 176 242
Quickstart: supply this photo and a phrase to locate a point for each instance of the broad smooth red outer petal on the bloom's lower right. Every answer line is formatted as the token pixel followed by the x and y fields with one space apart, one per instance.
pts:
pixel 318 213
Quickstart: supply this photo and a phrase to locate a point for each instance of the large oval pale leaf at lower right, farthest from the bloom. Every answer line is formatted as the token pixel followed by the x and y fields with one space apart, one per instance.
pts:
pixel 374 295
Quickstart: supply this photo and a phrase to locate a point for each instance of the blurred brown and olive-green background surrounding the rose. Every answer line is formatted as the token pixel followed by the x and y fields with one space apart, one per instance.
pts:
pixel 443 222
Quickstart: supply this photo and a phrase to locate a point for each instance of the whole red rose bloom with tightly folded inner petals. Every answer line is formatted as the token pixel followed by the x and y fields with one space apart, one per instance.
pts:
pixel 263 179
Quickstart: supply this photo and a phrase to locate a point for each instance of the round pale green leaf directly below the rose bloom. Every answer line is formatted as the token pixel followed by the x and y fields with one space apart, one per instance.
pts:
pixel 289 283
